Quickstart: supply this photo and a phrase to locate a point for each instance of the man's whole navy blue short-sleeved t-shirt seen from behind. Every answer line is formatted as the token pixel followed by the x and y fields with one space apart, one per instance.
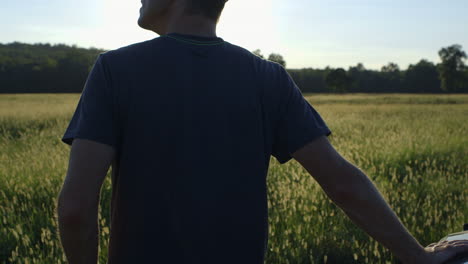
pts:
pixel 194 121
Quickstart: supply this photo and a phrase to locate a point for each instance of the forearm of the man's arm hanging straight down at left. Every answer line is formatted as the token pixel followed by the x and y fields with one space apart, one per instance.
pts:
pixel 79 236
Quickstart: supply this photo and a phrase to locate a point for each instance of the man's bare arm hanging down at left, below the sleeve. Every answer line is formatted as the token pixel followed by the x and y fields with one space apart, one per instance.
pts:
pixel 78 201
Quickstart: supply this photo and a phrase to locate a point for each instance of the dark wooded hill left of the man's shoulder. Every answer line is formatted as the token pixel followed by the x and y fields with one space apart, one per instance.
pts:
pixel 44 68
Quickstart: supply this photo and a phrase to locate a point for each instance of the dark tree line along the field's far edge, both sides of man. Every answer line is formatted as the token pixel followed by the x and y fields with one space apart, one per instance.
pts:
pixel 45 68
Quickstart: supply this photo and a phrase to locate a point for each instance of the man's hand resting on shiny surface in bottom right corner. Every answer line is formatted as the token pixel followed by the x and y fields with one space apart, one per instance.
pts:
pixel 438 253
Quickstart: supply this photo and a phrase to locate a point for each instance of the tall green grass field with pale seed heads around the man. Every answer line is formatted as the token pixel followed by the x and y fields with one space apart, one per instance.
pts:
pixel 413 147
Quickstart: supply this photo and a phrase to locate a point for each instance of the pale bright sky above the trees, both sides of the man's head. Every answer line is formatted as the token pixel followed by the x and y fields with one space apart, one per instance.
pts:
pixel 307 33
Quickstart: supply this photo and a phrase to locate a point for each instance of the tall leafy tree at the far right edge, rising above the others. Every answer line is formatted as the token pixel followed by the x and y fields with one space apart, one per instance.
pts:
pixel 451 70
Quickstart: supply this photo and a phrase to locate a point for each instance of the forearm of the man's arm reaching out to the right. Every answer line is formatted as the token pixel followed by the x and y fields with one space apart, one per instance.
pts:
pixel 366 207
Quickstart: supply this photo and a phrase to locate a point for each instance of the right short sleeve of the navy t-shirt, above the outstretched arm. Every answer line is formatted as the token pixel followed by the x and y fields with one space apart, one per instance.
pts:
pixel 298 122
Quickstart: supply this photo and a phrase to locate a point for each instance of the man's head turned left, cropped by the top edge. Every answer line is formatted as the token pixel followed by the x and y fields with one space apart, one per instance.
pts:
pixel 158 15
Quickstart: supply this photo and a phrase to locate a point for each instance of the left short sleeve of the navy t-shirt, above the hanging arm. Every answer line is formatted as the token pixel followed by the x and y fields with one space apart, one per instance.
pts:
pixel 94 118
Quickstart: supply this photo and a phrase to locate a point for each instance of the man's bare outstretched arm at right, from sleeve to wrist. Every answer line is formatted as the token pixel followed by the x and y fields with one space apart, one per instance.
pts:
pixel 349 188
